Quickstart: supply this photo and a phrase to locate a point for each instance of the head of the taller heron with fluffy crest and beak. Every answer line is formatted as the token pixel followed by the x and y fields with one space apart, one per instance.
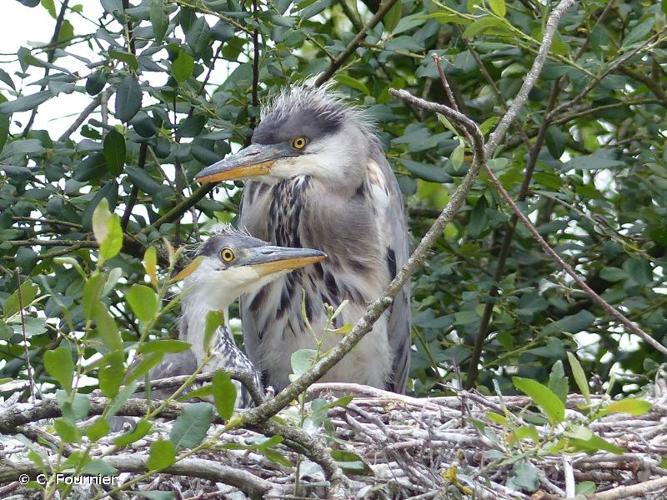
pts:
pixel 304 131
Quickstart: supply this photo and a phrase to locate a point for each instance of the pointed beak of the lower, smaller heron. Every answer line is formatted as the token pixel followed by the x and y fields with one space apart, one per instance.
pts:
pixel 269 259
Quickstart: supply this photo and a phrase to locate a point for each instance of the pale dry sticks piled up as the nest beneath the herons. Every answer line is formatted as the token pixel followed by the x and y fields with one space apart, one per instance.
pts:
pixel 409 444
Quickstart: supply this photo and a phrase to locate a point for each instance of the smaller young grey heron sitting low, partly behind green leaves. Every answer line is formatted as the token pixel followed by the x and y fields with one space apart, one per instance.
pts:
pixel 233 263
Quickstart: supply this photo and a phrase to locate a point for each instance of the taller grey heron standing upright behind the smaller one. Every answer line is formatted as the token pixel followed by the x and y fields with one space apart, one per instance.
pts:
pixel 316 175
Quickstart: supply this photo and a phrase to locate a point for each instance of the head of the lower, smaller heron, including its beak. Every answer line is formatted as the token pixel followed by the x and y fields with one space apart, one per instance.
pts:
pixel 235 263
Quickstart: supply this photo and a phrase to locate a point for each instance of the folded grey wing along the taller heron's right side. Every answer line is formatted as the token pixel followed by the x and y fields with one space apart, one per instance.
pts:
pixel 398 243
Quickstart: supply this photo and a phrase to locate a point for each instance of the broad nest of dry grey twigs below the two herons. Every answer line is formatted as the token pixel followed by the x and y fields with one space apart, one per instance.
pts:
pixel 393 446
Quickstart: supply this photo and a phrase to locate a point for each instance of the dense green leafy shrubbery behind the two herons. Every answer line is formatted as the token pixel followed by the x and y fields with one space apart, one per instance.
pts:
pixel 176 85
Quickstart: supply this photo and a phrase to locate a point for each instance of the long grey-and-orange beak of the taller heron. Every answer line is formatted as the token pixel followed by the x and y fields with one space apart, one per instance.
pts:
pixel 255 160
